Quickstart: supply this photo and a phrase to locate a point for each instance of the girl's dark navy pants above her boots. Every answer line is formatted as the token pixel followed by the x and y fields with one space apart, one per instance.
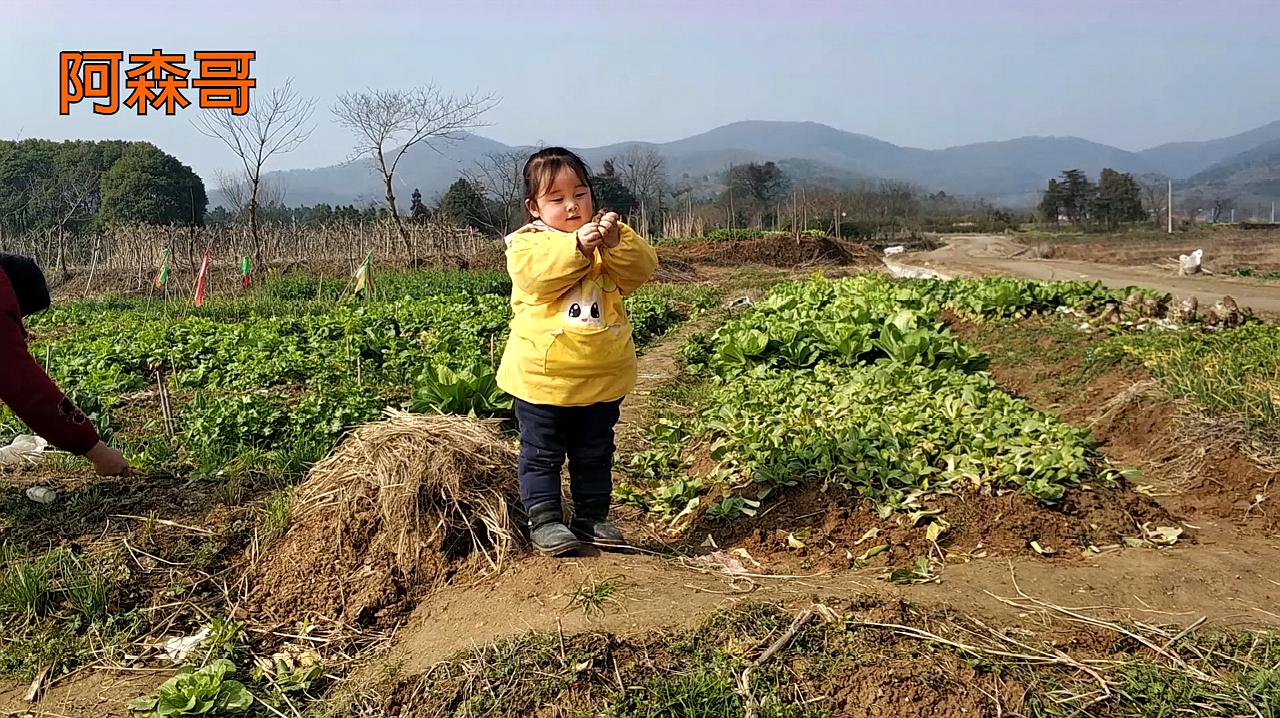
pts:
pixel 551 433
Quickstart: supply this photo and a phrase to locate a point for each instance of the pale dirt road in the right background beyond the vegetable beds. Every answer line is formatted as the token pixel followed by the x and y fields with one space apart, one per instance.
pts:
pixel 984 255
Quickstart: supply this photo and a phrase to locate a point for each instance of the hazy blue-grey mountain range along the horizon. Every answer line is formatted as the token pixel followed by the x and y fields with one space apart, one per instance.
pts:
pixel 1011 172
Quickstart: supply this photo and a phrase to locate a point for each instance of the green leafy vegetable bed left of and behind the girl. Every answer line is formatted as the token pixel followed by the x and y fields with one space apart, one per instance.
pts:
pixel 271 382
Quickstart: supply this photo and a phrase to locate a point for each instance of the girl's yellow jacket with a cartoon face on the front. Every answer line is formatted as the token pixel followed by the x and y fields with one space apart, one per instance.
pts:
pixel 570 337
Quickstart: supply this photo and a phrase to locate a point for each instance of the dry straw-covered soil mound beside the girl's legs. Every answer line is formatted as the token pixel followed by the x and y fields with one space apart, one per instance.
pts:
pixel 403 507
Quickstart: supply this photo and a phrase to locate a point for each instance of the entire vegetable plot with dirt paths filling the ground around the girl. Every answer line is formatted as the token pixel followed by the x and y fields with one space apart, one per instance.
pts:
pixel 858 441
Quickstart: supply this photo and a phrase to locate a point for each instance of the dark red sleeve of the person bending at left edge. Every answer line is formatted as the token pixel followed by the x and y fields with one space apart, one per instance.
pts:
pixel 30 392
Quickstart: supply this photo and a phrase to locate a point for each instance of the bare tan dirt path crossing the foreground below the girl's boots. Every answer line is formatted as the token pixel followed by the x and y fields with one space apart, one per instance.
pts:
pixel 1226 579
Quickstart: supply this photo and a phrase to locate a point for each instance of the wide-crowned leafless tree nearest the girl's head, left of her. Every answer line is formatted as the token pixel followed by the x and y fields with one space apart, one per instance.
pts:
pixel 383 120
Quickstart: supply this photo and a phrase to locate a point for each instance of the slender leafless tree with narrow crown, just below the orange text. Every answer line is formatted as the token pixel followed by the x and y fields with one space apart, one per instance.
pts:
pixel 276 124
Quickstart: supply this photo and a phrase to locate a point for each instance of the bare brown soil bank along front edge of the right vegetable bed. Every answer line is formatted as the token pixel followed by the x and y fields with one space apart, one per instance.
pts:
pixel 835 527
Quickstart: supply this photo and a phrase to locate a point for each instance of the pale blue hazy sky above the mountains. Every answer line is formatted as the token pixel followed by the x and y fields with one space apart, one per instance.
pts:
pixel 925 74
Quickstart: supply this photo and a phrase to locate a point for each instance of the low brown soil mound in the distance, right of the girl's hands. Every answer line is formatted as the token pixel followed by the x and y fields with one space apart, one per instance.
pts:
pixel 783 253
